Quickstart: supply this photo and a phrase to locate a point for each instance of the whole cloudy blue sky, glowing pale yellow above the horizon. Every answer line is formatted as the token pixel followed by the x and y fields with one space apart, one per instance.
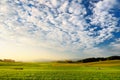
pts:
pixel 40 30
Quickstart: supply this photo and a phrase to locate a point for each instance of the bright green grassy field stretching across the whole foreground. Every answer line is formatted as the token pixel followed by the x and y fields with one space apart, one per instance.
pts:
pixel 104 70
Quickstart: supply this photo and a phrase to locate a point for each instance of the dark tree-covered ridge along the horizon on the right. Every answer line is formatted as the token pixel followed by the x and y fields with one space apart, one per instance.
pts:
pixel 93 59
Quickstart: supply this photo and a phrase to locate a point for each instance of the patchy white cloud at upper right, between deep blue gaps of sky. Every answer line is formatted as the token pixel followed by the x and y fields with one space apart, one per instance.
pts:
pixel 102 18
